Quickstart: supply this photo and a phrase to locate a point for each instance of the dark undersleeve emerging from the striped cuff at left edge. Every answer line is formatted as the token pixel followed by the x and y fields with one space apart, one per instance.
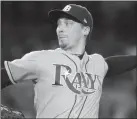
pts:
pixel 5 81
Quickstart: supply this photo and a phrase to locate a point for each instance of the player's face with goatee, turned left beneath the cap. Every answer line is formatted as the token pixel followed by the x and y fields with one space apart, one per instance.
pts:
pixel 69 33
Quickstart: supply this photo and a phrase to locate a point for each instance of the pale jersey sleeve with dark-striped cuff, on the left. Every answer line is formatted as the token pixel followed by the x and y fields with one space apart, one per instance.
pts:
pixel 23 69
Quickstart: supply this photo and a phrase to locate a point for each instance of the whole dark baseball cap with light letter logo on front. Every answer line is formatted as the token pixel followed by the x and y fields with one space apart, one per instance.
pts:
pixel 77 12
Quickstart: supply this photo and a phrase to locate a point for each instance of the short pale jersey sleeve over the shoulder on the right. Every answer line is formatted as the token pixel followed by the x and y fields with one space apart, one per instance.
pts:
pixel 100 65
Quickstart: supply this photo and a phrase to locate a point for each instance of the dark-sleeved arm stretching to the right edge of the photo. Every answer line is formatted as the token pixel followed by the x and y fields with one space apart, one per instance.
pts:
pixel 120 64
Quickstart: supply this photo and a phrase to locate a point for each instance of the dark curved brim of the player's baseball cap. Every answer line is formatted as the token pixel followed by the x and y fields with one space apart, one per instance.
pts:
pixel 54 15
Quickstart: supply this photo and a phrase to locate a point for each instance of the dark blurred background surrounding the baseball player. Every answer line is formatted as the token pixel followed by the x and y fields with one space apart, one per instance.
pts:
pixel 25 27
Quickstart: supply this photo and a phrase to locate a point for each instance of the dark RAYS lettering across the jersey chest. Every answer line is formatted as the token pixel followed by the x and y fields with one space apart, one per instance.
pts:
pixel 80 82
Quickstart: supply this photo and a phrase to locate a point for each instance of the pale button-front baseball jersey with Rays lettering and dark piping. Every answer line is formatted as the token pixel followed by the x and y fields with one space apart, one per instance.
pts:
pixel 64 85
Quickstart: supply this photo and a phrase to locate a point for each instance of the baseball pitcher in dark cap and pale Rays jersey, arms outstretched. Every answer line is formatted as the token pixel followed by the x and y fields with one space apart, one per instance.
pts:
pixel 67 81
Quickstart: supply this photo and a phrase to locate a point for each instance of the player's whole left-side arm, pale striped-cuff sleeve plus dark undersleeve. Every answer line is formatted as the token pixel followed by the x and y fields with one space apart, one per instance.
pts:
pixel 19 70
